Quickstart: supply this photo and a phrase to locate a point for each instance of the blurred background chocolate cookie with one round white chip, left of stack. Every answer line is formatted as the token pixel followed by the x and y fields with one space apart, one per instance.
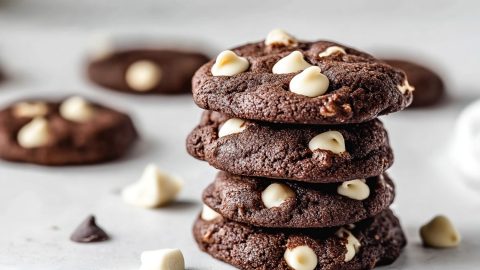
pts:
pixel 145 71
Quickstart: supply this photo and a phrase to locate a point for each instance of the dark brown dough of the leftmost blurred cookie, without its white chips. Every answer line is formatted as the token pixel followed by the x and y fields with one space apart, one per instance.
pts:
pixel 107 136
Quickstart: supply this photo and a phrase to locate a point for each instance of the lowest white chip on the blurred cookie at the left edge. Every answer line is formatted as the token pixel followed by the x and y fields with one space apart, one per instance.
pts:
pixel 34 134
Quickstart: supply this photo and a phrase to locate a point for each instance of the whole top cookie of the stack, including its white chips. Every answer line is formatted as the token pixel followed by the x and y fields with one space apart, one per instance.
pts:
pixel 285 80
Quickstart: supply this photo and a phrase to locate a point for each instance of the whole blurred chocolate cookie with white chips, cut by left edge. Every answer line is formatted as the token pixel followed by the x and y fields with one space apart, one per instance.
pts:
pixel 74 131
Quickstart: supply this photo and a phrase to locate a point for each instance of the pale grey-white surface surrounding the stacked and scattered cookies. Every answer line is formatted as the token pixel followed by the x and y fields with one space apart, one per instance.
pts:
pixel 42 45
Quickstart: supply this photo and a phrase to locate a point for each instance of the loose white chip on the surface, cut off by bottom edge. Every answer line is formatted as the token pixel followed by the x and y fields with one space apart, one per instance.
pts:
pixel 162 259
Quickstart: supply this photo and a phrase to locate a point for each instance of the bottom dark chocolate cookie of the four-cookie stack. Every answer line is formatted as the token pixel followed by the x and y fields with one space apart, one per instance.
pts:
pixel 373 242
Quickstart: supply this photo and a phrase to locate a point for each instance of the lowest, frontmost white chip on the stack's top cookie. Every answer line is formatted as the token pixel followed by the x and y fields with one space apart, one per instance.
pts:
pixel 310 82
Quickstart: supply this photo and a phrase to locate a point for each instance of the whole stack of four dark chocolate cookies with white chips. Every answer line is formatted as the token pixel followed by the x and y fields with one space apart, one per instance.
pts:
pixel 292 126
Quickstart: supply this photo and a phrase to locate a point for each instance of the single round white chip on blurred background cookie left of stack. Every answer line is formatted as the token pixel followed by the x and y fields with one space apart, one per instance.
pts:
pixel 143 75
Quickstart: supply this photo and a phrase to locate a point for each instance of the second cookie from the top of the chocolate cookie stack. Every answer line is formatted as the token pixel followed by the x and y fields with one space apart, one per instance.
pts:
pixel 317 154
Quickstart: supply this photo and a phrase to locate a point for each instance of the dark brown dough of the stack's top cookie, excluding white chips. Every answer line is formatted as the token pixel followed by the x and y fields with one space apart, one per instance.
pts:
pixel 361 87
